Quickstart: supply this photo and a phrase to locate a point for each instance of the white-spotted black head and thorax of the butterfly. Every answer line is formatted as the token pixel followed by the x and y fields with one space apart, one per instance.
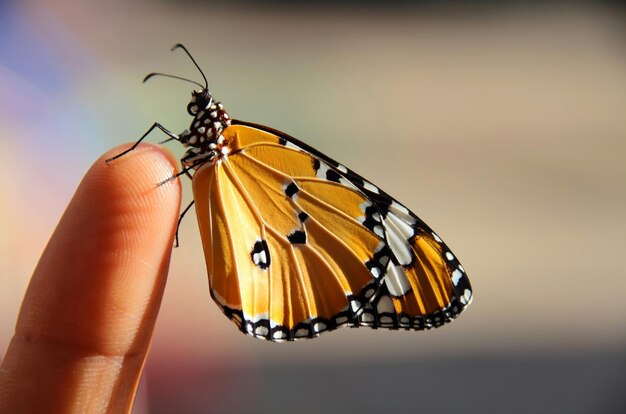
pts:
pixel 204 135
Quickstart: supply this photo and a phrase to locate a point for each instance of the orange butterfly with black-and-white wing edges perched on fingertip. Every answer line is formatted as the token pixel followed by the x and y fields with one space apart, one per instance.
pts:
pixel 296 244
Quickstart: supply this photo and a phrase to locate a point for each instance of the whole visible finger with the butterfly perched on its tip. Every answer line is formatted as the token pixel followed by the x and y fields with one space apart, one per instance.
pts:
pixel 86 322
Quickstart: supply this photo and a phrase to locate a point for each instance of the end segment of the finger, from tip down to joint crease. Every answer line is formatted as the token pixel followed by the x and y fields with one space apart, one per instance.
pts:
pixel 110 250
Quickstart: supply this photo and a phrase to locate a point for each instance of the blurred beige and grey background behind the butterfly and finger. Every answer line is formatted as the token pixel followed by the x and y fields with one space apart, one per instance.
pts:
pixel 501 124
